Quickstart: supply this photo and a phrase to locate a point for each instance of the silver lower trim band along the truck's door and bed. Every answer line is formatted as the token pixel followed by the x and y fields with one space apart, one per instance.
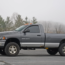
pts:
pixel 37 44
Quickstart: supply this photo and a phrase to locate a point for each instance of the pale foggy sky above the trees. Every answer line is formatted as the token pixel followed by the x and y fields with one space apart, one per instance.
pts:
pixel 43 10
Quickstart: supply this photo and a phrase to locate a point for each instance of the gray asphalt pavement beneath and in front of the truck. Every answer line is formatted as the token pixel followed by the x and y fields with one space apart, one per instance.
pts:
pixel 33 57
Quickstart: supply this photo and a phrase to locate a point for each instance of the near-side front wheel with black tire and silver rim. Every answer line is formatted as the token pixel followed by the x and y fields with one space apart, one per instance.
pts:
pixel 9 51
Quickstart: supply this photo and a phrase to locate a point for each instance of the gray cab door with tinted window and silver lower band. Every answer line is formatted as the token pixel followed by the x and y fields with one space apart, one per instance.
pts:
pixel 32 38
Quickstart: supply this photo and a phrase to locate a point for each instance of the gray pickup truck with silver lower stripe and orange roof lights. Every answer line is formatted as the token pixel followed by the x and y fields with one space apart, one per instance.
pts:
pixel 31 37
